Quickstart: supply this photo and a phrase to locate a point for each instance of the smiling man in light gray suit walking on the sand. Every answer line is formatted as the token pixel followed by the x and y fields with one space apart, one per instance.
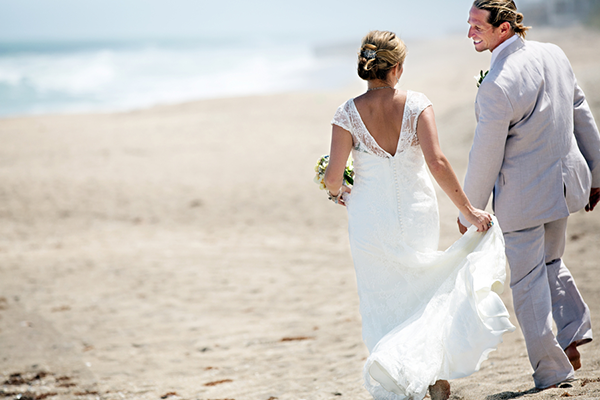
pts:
pixel 537 148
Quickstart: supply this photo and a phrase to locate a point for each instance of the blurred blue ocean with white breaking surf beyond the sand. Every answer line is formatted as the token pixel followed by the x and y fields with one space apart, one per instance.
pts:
pixel 104 76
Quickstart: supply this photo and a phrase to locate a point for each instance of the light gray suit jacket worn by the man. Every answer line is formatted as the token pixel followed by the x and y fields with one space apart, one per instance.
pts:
pixel 536 145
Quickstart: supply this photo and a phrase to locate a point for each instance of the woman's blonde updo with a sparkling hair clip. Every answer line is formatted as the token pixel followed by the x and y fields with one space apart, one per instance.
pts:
pixel 380 51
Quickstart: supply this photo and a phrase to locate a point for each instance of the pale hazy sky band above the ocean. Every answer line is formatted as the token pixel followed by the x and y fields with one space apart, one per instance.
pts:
pixel 318 20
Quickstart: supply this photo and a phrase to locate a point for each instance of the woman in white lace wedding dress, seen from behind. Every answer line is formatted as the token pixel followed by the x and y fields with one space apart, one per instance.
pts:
pixel 428 316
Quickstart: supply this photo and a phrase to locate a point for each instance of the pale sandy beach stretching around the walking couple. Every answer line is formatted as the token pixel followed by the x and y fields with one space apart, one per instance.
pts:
pixel 184 252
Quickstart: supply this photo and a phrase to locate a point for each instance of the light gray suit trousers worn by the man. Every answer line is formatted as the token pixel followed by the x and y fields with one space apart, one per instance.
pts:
pixel 543 289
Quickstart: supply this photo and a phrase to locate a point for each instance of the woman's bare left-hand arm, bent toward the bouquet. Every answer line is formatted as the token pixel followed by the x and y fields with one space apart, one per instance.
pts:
pixel 341 146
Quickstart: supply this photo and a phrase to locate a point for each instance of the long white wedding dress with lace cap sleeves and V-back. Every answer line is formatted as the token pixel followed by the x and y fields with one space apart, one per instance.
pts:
pixel 427 315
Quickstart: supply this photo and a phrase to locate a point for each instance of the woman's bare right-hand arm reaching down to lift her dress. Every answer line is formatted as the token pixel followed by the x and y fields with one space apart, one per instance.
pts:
pixel 443 173
